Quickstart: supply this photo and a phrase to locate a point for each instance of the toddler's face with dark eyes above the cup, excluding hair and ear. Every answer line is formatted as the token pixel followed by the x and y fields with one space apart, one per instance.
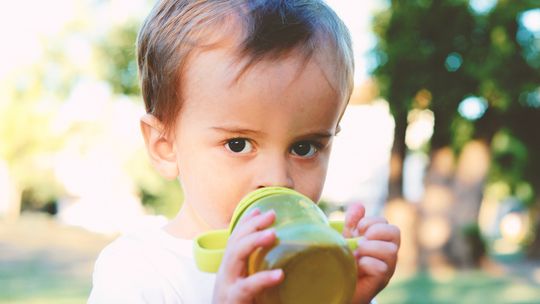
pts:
pixel 273 127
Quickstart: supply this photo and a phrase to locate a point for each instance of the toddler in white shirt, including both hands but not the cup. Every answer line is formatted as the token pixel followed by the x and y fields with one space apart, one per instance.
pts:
pixel 240 94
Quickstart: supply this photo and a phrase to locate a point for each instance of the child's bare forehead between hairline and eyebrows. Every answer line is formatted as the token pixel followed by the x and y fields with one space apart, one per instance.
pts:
pixel 211 87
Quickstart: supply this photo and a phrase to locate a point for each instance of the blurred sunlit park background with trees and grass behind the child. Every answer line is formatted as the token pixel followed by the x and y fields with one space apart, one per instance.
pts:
pixel 461 80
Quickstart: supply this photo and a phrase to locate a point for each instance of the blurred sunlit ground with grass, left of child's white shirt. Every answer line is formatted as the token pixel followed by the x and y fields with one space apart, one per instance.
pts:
pixel 44 262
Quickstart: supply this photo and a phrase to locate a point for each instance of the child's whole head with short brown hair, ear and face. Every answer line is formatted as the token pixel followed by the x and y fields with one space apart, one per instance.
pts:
pixel 242 94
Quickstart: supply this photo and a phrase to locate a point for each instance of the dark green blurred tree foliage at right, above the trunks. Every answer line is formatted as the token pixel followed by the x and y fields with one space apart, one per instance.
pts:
pixel 445 48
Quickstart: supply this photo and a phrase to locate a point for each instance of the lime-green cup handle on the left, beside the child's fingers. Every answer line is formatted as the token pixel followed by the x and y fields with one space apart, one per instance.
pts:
pixel 208 249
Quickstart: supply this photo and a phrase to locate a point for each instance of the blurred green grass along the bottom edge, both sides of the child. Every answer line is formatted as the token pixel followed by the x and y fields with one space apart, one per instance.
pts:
pixel 31 282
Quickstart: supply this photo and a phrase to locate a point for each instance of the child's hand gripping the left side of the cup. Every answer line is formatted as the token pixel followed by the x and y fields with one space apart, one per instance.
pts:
pixel 233 285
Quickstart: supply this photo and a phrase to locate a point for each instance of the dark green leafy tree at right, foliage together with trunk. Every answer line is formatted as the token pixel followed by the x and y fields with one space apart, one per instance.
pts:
pixel 434 54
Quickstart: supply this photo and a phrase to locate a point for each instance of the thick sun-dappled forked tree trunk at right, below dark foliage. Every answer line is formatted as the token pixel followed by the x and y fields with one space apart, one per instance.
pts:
pixel 449 231
